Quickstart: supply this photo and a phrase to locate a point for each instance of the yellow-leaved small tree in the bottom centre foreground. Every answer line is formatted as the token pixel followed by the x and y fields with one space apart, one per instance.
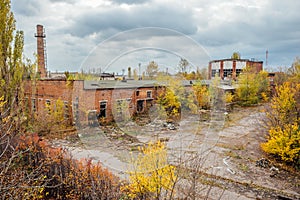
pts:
pixel 151 175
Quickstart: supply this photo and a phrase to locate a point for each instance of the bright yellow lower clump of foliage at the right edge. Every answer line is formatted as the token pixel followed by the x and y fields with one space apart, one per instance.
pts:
pixel 284 143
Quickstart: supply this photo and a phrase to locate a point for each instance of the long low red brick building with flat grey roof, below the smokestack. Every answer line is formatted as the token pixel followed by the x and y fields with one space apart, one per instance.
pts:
pixel 110 100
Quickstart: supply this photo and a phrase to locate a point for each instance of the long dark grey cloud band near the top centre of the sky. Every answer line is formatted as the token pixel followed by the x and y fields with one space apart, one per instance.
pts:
pixel 118 19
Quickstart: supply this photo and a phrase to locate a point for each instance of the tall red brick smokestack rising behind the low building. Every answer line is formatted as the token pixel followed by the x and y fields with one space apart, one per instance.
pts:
pixel 41 50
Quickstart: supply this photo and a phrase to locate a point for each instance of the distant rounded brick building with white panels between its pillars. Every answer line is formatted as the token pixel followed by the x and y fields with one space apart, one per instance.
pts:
pixel 231 68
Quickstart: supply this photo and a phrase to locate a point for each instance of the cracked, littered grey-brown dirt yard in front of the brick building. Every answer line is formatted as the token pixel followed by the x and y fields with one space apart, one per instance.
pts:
pixel 228 146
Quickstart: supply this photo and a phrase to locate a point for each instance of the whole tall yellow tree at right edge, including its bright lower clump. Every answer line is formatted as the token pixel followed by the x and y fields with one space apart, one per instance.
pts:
pixel 284 122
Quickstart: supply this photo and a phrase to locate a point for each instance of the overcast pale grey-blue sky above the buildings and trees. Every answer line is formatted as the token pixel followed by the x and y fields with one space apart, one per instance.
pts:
pixel 112 35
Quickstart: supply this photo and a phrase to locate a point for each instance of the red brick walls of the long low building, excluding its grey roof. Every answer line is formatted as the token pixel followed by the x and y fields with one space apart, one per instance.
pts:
pixel 82 101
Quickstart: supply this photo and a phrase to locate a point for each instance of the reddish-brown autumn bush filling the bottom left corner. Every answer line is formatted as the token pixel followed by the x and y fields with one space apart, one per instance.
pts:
pixel 37 171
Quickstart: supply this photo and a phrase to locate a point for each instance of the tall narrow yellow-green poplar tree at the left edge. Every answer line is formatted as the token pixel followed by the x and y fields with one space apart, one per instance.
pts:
pixel 11 56
